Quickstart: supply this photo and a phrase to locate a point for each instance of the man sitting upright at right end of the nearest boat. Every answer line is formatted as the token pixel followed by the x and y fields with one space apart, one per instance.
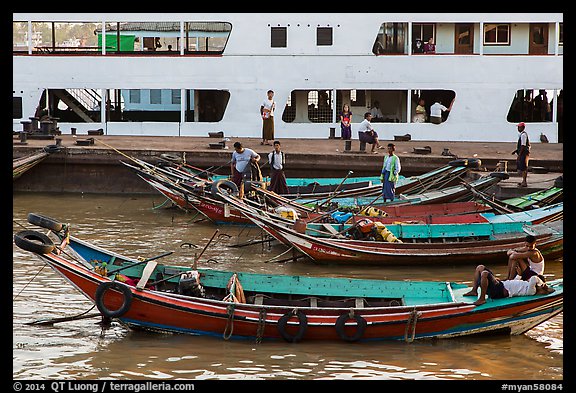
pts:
pixel 526 261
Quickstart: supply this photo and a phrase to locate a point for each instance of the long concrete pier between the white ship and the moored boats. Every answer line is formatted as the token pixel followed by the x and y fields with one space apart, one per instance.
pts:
pixel 96 167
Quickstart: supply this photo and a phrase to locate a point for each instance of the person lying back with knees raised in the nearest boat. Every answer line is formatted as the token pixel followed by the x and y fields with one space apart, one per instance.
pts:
pixel 497 289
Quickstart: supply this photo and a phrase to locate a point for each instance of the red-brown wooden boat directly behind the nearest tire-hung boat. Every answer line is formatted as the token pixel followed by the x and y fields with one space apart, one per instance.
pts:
pixel 472 243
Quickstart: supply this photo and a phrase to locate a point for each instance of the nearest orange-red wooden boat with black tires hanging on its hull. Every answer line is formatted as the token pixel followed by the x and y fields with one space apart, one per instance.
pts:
pixel 149 295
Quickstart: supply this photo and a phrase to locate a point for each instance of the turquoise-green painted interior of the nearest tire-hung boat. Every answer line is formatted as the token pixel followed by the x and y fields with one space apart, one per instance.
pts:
pixel 336 291
